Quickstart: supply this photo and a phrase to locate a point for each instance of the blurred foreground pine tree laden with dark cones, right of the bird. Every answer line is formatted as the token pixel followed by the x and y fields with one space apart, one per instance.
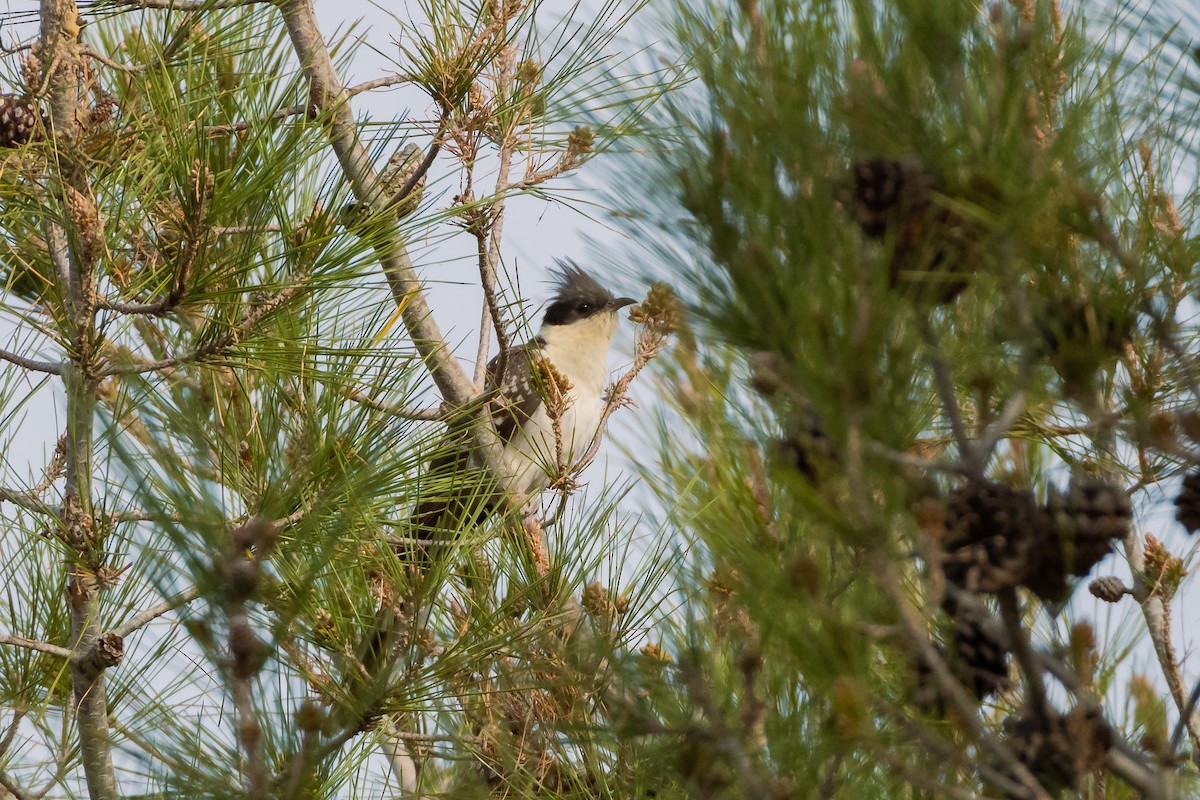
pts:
pixel 938 370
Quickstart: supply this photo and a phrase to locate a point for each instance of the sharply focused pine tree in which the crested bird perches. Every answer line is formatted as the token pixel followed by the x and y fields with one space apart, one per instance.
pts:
pixel 202 246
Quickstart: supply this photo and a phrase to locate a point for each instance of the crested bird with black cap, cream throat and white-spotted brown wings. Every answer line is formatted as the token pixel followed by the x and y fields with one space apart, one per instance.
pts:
pixel 577 332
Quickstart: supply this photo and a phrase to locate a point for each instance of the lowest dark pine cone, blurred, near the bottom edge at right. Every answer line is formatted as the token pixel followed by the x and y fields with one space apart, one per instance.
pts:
pixel 1059 750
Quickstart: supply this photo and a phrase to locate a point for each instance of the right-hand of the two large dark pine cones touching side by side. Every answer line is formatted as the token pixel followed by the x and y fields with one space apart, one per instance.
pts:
pixel 1085 524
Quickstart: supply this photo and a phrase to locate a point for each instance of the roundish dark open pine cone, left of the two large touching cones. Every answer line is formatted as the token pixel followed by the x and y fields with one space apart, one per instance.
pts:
pixel 991 530
